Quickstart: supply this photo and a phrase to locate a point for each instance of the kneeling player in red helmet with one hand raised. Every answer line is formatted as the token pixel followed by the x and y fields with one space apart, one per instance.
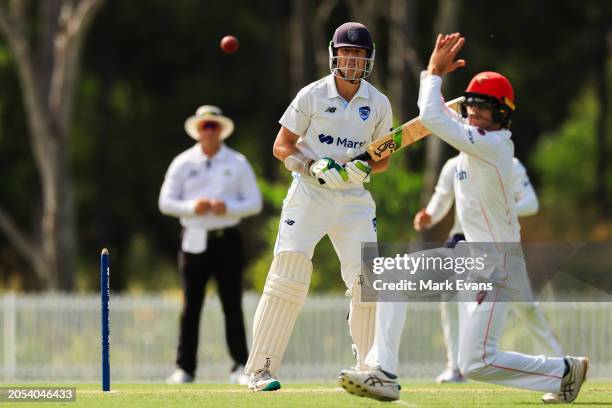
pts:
pixel 486 210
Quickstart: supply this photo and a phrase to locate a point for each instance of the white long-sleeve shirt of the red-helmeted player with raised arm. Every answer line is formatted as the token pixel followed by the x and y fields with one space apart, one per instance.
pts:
pixel 483 185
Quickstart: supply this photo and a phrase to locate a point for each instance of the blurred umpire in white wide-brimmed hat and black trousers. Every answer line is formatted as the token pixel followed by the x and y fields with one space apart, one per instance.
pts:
pixel 210 187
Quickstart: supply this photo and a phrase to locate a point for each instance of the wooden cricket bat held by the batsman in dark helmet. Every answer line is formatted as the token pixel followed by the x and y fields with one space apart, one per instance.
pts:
pixel 402 136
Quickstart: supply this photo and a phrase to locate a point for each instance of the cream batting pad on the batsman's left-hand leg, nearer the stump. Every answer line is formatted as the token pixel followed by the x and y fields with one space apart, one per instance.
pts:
pixel 283 296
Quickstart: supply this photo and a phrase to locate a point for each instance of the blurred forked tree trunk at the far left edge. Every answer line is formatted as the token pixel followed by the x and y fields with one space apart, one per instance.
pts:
pixel 46 39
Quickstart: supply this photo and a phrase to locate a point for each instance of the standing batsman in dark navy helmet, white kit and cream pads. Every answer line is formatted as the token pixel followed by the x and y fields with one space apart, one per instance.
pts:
pixel 338 112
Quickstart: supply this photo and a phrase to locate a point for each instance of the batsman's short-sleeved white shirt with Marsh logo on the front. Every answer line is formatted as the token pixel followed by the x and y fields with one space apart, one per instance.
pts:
pixel 328 125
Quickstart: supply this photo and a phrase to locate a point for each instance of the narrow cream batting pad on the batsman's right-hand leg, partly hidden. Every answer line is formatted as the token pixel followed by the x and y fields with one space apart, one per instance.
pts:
pixel 362 321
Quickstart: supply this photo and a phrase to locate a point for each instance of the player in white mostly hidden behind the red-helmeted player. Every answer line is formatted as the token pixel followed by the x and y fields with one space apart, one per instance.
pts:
pixel 526 202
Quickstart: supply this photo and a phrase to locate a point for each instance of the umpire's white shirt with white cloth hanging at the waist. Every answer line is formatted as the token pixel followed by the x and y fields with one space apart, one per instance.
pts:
pixel 193 175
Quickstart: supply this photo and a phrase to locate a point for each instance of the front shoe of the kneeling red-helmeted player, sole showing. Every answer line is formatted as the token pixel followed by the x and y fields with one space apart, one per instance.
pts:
pixel 371 383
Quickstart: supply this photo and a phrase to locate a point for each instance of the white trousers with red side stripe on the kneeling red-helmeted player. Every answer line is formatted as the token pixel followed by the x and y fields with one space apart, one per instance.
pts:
pixel 481 328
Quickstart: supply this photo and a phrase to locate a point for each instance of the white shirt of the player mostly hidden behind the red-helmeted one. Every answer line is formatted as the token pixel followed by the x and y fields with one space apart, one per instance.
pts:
pixel 442 200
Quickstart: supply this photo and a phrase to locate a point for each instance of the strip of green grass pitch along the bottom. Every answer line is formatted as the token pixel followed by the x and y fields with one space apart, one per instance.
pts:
pixel 595 393
